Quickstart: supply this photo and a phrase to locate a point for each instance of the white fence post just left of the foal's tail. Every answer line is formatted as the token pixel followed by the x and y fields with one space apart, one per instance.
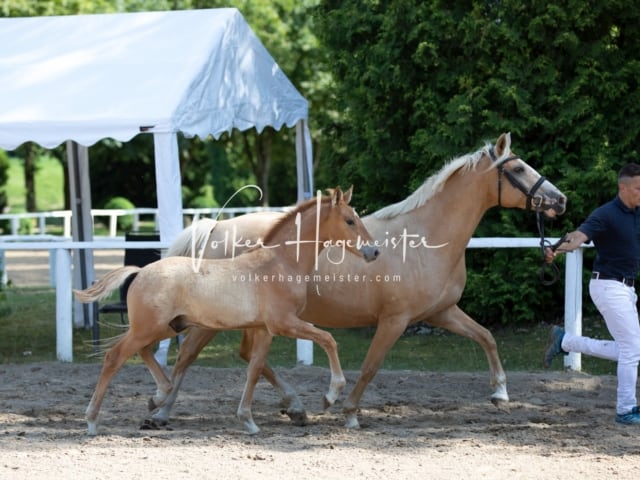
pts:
pixel 64 323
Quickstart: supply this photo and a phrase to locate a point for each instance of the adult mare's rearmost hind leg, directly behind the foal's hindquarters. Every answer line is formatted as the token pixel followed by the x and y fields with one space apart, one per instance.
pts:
pixel 190 348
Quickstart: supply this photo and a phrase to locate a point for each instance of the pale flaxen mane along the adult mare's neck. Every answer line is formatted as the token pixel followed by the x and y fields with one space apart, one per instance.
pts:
pixel 435 182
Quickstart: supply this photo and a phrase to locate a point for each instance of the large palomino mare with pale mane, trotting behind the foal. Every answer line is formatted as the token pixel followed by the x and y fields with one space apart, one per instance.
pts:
pixel 445 210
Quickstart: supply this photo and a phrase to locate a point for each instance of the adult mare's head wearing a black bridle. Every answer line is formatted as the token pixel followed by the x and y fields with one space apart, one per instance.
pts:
pixel 520 185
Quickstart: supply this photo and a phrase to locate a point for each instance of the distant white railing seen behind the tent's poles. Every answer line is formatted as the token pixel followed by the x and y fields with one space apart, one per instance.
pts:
pixel 44 219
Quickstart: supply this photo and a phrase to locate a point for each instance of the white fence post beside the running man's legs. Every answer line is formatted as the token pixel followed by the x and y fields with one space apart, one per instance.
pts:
pixel 573 303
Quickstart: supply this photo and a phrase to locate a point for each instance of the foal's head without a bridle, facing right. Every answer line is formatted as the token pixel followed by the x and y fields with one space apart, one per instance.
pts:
pixel 343 226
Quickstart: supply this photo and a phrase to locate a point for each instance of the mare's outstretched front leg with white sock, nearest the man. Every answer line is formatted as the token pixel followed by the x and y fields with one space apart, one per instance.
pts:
pixel 456 321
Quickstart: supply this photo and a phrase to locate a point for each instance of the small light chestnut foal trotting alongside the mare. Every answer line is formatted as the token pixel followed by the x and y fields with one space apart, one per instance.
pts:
pixel 261 288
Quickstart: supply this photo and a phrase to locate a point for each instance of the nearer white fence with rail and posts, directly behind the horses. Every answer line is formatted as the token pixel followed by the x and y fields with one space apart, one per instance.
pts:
pixel 62 267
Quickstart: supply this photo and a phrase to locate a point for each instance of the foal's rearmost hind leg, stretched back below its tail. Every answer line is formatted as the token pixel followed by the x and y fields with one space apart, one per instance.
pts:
pixel 124 349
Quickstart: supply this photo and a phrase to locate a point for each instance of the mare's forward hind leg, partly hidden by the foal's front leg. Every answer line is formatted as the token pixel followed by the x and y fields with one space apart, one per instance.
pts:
pixel 290 401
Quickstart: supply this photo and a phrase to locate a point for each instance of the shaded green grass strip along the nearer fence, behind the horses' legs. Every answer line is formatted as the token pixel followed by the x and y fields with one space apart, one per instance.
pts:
pixel 28 334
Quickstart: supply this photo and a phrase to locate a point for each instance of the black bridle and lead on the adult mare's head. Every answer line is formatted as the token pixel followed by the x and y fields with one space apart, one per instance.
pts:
pixel 533 203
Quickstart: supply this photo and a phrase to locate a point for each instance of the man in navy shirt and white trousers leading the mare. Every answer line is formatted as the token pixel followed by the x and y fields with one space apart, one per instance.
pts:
pixel 614 229
